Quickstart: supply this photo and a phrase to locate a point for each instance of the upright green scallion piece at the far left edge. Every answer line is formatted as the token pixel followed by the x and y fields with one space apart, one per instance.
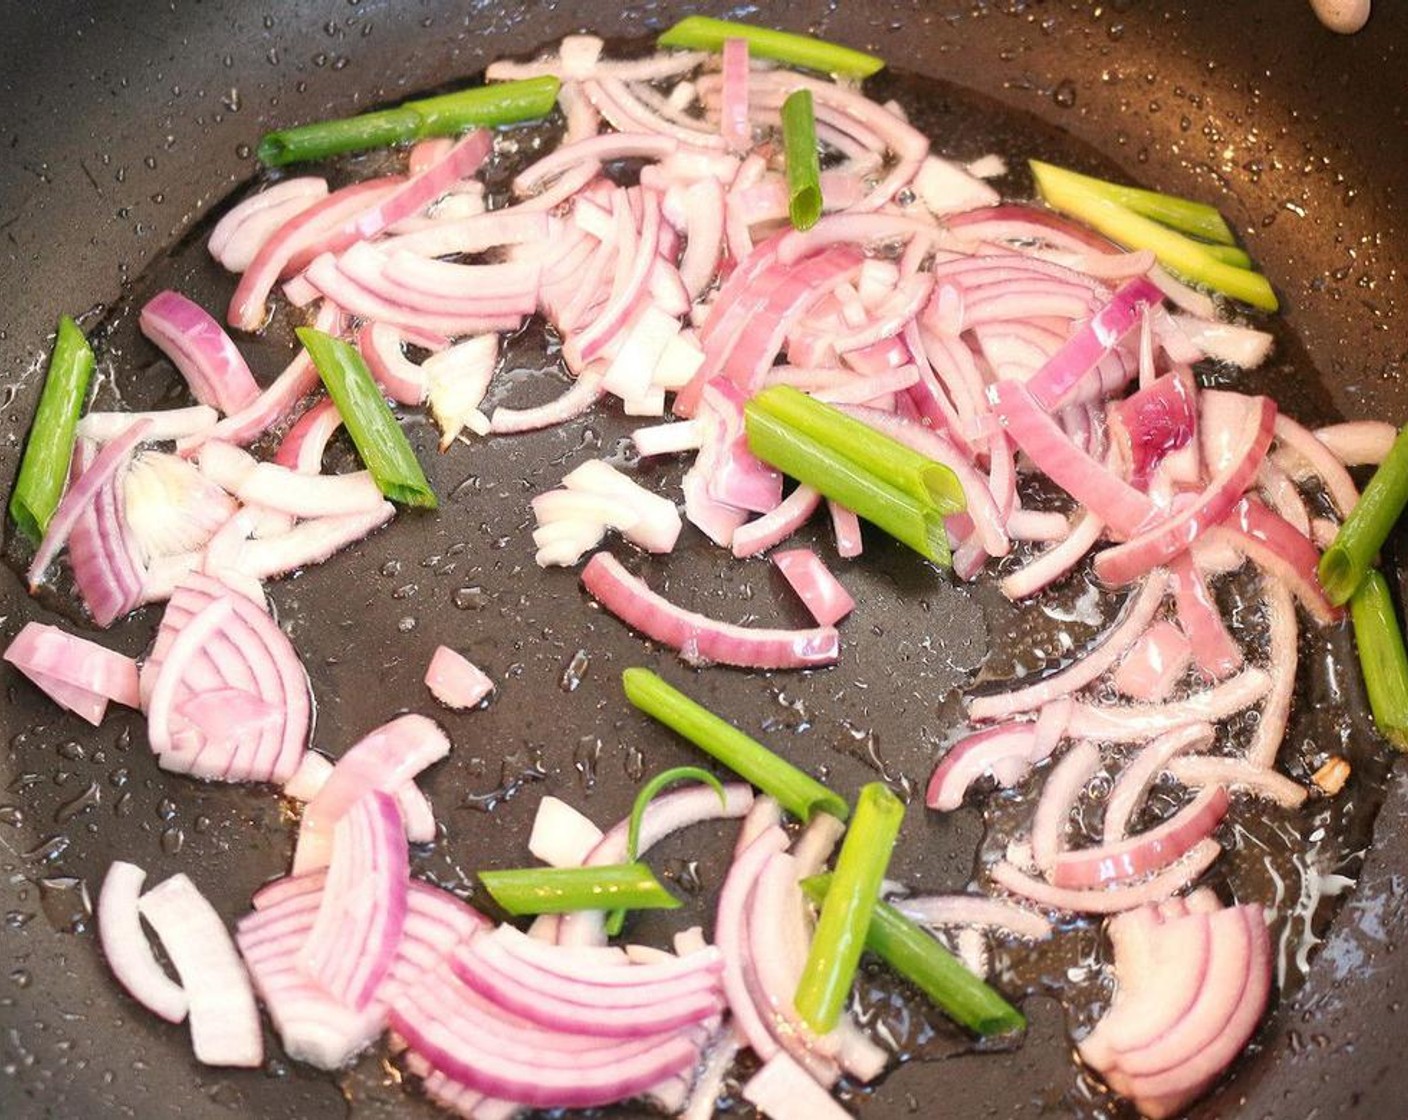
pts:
pixel 44 471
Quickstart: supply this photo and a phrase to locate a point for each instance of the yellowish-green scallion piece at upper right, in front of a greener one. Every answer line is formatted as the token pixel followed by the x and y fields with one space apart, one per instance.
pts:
pixel 1178 253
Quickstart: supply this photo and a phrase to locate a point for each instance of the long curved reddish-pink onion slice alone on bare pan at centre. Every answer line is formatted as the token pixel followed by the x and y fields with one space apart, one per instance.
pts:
pixel 700 639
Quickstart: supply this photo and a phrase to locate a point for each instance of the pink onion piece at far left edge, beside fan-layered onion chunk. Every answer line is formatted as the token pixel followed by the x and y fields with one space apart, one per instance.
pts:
pixel 78 674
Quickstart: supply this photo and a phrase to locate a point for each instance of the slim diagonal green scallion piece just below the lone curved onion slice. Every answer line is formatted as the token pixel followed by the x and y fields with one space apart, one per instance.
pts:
pixel 795 791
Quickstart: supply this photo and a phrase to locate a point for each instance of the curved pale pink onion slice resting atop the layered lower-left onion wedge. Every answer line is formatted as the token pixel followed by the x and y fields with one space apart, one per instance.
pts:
pixel 385 760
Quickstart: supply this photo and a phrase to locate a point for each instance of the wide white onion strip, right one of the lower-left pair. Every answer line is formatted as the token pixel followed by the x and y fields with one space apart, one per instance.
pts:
pixel 225 1021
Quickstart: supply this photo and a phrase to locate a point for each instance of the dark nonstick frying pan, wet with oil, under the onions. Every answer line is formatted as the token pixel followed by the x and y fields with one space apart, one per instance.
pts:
pixel 125 126
